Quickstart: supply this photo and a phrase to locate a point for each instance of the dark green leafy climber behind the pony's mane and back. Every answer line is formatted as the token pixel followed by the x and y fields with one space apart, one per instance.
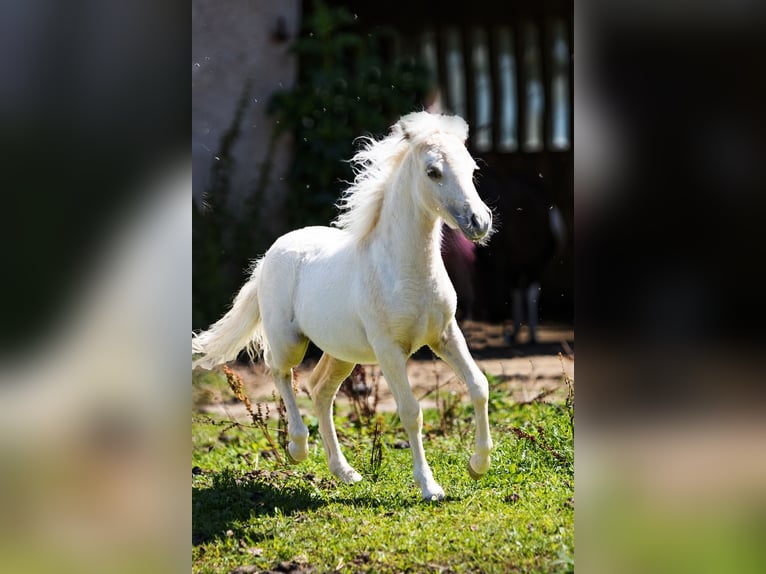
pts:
pixel 346 89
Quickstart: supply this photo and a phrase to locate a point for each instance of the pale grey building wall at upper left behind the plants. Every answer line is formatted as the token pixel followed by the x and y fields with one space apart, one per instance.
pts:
pixel 234 42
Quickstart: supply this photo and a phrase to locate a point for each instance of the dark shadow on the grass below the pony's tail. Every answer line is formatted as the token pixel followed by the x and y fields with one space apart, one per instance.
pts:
pixel 217 508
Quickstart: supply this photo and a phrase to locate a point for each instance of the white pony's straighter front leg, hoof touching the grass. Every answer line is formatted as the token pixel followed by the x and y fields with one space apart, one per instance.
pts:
pixel 393 363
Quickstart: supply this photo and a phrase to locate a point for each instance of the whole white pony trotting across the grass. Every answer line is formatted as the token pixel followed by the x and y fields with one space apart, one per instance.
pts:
pixel 371 290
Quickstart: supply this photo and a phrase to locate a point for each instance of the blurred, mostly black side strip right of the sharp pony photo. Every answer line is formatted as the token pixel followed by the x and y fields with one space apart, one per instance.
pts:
pixel 669 196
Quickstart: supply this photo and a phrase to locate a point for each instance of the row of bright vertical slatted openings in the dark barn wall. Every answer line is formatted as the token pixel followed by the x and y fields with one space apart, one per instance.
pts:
pixel 511 82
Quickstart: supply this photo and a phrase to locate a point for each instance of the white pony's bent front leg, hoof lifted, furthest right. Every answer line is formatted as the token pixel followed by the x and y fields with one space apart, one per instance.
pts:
pixel 453 349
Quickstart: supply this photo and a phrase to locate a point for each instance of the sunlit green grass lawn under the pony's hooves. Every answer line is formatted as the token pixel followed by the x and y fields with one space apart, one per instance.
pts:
pixel 253 513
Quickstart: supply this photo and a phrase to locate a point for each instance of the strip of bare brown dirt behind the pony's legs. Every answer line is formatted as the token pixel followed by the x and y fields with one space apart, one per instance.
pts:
pixel 525 370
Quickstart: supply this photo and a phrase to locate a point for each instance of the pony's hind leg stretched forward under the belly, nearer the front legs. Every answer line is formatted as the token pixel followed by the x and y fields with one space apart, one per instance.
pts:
pixel 323 383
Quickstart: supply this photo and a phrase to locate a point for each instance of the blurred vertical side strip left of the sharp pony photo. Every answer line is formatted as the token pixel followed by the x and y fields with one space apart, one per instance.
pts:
pixel 96 260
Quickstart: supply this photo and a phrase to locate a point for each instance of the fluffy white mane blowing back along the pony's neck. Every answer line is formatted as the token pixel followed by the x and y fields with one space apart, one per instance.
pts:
pixel 377 160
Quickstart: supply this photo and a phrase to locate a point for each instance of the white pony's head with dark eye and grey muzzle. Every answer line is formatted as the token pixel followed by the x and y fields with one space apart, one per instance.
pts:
pixel 445 173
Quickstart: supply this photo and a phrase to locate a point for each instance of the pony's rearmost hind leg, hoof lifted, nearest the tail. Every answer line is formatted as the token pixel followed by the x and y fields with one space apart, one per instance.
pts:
pixel 281 368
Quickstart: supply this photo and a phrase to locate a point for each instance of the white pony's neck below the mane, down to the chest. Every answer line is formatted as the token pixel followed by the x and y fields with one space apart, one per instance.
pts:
pixel 406 234
